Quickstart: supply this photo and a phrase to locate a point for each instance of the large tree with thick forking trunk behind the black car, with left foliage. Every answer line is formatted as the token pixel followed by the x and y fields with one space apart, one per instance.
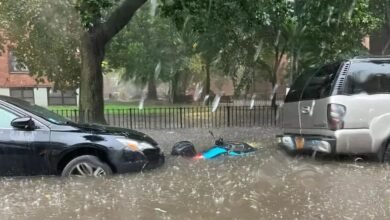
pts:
pixel 66 41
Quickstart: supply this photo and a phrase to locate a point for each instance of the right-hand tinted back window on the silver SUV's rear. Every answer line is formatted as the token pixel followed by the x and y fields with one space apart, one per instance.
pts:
pixel 320 85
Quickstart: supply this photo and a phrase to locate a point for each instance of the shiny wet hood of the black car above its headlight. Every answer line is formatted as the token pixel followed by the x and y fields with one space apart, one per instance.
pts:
pixel 107 130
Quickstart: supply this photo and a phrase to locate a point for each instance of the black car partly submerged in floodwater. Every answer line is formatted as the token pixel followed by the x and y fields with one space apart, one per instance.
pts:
pixel 36 141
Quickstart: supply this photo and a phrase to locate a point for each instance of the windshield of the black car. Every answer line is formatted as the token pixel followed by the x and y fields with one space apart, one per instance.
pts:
pixel 41 112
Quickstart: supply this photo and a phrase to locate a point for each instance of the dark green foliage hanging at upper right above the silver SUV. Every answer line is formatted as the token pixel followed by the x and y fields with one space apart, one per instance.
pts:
pixel 255 35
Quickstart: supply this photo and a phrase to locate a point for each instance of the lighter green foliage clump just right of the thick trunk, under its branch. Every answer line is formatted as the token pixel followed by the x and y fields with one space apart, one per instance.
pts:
pixel 146 45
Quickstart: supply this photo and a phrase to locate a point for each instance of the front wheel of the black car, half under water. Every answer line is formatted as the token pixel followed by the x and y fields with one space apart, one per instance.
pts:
pixel 86 165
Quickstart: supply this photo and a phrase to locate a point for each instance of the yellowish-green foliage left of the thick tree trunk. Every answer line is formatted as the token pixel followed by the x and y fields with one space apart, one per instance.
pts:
pixel 45 36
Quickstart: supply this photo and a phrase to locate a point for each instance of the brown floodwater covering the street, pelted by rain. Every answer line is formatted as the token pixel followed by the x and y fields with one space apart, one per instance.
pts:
pixel 266 185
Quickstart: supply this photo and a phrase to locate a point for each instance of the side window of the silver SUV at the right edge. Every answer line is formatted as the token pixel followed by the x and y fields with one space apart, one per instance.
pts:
pixel 369 77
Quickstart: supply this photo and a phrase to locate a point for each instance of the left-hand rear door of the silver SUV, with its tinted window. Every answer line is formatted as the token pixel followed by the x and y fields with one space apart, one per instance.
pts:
pixel 291 120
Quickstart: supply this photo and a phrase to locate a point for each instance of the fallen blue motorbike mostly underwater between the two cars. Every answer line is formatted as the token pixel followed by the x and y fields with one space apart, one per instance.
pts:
pixel 220 148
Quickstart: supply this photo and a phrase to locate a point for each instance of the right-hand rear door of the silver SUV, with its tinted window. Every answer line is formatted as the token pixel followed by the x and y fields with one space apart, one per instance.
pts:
pixel 315 97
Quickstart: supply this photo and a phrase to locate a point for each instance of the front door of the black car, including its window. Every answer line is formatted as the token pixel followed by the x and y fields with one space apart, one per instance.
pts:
pixel 15 151
